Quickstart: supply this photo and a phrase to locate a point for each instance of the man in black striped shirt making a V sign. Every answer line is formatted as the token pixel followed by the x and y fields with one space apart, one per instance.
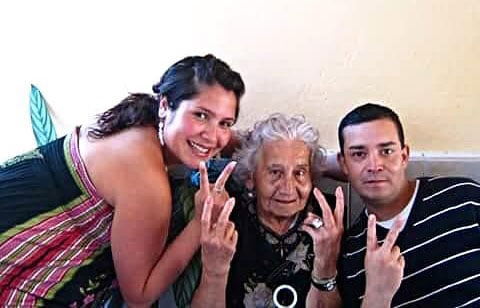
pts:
pixel 435 261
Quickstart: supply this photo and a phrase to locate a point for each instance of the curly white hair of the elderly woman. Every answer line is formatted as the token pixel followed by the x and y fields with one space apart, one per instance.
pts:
pixel 277 127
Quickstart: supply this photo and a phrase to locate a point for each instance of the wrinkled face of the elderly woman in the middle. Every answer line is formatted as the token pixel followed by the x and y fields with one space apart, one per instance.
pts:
pixel 282 179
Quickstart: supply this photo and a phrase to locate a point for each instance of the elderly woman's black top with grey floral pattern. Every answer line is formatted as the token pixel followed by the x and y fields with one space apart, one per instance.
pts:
pixel 265 261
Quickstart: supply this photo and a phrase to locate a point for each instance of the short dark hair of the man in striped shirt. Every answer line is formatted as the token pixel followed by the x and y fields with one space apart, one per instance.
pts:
pixel 367 113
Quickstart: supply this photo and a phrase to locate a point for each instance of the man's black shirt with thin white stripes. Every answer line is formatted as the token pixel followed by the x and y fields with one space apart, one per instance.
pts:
pixel 440 243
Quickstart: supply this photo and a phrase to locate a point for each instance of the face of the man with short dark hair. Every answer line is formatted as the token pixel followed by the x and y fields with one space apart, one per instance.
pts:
pixel 374 161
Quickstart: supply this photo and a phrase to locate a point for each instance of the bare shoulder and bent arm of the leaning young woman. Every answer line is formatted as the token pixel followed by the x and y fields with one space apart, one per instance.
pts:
pixel 129 172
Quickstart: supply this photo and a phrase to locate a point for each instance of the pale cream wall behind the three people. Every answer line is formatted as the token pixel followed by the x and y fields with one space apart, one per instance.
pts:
pixel 320 58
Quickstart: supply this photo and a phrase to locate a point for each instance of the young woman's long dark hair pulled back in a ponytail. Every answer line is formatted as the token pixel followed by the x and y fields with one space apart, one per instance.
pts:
pixel 180 82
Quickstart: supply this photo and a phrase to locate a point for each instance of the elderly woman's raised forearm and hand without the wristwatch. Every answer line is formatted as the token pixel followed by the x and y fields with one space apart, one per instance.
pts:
pixel 218 240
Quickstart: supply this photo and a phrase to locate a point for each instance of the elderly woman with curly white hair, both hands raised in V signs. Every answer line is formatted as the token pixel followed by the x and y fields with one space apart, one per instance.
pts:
pixel 280 246
